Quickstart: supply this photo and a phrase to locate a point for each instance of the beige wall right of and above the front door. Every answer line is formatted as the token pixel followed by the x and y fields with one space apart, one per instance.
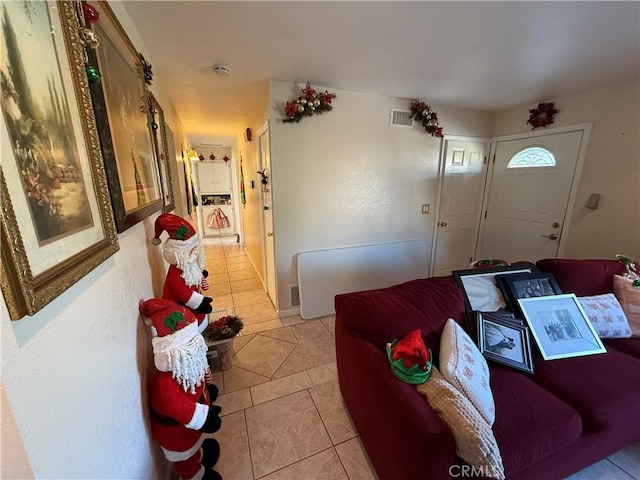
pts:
pixel 611 167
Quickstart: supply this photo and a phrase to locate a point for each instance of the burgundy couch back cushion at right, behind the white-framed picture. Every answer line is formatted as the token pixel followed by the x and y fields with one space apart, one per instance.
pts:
pixel 582 277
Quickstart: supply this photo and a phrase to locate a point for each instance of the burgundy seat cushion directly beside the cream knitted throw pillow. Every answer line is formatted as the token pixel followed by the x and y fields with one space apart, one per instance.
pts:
pixel 531 423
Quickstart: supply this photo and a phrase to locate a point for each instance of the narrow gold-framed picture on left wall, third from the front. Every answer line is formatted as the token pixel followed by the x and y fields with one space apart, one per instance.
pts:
pixel 163 146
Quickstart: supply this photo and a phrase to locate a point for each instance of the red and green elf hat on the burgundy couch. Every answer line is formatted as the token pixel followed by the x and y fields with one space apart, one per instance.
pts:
pixel 410 359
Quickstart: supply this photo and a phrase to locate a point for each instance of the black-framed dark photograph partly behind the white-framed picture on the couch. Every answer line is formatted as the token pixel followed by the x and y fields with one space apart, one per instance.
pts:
pixel 526 285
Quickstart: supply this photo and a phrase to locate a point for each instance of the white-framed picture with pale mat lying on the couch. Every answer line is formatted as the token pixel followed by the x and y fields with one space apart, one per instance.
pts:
pixel 560 326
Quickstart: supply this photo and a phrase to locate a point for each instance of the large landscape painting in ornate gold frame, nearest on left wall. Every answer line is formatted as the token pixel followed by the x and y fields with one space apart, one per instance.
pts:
pixel 57 224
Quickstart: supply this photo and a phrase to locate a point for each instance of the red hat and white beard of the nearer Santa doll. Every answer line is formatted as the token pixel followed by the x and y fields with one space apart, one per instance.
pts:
pixel 178 346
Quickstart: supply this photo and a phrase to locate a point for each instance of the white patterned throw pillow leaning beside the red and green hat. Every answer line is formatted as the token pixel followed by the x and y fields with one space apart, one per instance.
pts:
pixel 462 364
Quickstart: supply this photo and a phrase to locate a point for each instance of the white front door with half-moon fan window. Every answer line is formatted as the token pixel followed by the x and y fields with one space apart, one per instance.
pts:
pixel 529 195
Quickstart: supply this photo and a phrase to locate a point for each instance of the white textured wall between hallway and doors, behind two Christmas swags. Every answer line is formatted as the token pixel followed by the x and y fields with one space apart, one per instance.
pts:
pixel 345 177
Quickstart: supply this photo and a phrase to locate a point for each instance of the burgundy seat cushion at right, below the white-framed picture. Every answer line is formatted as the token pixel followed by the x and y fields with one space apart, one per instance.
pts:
pixel 604 389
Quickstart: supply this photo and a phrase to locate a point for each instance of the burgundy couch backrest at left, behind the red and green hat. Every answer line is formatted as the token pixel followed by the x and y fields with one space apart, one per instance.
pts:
pixel 385 314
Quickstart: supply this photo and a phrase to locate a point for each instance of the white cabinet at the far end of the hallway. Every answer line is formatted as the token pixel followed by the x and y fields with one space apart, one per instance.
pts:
pixel 216 215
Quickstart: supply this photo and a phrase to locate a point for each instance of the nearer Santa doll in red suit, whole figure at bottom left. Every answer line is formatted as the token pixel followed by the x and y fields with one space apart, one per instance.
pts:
pixel 180 407
